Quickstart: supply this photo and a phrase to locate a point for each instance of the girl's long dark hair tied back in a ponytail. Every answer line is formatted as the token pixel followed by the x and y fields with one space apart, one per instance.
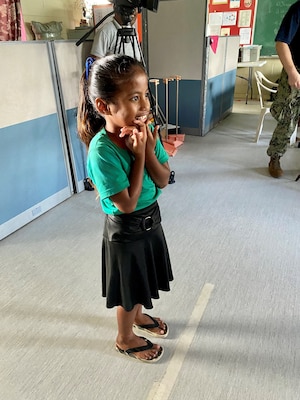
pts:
pixel 104 81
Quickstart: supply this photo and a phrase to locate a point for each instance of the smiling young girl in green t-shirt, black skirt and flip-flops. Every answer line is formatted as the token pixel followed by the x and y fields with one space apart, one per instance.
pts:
pixel 128 166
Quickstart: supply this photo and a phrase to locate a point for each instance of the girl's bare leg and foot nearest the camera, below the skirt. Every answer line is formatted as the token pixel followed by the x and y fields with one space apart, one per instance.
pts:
pixel 126 338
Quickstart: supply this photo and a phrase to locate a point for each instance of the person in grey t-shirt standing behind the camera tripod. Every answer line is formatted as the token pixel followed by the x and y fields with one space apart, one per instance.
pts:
pixel 106 40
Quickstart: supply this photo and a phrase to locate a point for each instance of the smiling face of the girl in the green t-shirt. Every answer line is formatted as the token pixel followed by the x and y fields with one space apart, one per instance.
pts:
pixel 131 103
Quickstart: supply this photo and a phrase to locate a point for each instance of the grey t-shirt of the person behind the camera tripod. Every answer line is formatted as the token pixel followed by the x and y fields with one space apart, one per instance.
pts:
pixel 106 42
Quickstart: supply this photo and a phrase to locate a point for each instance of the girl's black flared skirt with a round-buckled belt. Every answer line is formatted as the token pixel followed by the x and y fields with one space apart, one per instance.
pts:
pixel 135 259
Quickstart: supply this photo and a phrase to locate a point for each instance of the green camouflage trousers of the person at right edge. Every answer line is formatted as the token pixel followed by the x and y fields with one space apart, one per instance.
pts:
pixel 286 110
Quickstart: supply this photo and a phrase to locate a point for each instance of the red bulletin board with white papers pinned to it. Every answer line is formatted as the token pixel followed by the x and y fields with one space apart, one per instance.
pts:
pixel 232 18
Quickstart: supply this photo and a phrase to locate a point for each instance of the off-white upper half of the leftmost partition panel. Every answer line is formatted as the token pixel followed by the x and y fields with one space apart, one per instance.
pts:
pixel 25 102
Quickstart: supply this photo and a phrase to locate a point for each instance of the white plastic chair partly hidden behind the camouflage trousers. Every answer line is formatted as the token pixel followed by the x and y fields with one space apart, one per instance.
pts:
pixel 271 87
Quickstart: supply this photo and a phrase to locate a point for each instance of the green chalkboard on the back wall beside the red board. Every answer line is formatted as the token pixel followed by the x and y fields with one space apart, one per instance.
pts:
pixel 269 14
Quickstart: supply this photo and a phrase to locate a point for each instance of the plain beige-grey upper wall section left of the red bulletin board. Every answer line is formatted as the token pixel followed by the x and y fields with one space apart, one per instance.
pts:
pixel 176 39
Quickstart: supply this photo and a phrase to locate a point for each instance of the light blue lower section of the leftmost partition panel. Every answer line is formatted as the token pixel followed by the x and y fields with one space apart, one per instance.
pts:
pixel 31 155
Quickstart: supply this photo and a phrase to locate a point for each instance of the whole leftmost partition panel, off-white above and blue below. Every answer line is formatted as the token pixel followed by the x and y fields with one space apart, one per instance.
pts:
pixel 33 167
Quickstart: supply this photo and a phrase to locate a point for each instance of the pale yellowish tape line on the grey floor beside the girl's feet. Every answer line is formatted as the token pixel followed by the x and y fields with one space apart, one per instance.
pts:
pixel 162 390
